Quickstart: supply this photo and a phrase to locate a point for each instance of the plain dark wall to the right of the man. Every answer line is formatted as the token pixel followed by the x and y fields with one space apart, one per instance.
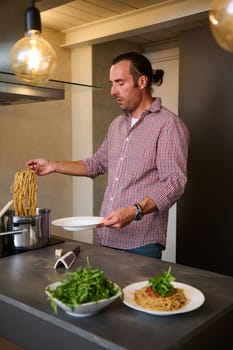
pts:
pixel 204 228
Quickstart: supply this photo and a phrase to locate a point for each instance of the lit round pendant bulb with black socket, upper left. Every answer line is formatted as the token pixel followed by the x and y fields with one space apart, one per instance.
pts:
pixel 32 58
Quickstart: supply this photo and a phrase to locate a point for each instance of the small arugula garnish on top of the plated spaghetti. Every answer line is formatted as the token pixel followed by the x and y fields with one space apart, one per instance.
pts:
pixel 161 284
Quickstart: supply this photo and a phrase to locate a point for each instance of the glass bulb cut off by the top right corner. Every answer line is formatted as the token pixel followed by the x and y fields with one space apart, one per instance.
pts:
pixel 221 23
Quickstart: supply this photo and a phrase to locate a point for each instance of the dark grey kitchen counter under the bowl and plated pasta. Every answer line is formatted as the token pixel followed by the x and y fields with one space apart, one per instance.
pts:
pixel 27 319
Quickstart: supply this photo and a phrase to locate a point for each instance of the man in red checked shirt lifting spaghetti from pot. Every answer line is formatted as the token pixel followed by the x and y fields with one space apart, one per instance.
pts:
pixel 145 155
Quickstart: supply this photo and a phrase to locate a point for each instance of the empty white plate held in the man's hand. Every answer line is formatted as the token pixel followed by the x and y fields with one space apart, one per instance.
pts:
pixel 78 223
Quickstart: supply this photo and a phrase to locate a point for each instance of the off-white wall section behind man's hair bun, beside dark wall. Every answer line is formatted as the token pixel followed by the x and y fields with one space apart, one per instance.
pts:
pixel 168 60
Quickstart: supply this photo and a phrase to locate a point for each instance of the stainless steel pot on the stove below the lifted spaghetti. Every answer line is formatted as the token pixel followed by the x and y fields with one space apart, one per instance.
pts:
pixel 36 229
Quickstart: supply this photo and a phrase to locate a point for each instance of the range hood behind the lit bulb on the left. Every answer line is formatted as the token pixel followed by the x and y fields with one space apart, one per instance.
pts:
pixel 12 89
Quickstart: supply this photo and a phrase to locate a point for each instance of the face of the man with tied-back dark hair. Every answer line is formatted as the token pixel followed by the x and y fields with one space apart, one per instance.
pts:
pixel 123 86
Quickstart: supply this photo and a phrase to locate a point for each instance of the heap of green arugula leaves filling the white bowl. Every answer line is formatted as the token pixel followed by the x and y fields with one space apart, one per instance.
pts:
pixel 82 286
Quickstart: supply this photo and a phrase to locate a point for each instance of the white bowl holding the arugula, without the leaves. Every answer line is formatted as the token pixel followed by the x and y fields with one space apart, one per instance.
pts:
pixel 86 309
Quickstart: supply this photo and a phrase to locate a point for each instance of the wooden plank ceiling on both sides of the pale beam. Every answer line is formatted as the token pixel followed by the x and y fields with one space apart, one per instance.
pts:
pixel 62 15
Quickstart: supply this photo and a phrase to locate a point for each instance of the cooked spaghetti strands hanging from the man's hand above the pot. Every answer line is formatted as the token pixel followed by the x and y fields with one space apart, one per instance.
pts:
pixel 24 191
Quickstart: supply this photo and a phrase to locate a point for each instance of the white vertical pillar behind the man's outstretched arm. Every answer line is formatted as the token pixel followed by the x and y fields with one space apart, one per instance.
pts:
pixel 81 71
